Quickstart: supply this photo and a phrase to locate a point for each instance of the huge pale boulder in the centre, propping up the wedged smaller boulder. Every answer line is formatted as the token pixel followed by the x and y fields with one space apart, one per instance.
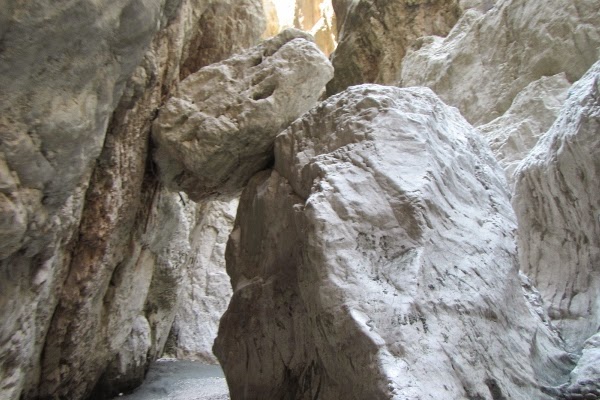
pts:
pixel 380 251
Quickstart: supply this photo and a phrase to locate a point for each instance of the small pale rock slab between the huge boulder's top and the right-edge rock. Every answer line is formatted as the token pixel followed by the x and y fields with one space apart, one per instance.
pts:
pixel 512 136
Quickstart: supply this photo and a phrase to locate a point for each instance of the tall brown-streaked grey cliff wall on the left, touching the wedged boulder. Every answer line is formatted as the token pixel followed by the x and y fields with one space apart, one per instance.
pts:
pixel 94 247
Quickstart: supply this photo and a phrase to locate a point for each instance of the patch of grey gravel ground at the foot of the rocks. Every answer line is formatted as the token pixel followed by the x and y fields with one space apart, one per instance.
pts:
pixel 170 379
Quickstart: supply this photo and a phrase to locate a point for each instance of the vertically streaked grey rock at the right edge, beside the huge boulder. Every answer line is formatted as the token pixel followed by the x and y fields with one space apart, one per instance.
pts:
pixel 557 202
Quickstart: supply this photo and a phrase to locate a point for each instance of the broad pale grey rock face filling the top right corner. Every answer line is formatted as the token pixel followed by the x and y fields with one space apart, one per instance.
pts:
pixel 487 59
